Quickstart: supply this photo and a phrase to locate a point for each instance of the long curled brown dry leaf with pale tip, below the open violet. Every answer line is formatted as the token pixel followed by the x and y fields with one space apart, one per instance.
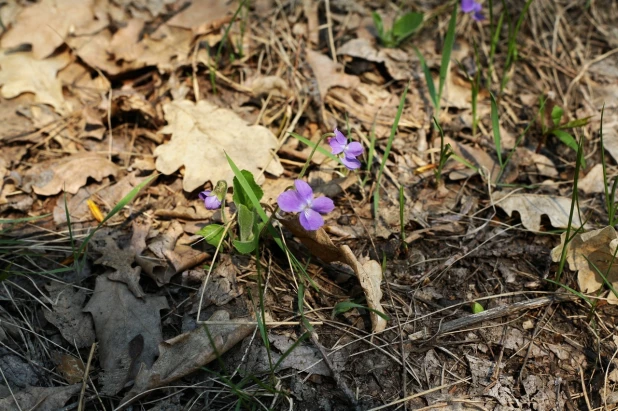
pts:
pixel 369 273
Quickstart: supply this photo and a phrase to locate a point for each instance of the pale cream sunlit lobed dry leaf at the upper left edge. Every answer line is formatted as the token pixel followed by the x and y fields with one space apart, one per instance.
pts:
pixel 22 73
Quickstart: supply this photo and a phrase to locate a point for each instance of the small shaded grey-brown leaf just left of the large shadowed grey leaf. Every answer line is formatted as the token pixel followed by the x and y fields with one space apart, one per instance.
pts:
pixel 75 326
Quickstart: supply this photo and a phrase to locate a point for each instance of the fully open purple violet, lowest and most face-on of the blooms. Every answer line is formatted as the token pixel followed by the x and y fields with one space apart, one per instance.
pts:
pixel 301 201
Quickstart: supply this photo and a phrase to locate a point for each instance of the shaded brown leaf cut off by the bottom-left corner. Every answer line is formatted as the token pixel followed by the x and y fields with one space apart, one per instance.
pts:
pixel 39 398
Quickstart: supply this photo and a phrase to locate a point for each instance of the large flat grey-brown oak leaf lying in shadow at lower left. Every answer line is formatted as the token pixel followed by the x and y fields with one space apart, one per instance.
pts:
pixel 132 319
